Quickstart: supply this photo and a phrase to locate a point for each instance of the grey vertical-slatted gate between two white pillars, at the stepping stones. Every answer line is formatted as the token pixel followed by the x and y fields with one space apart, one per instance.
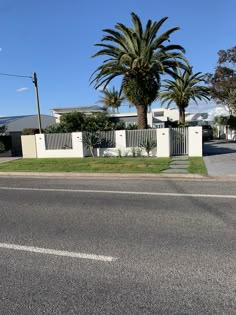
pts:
pixel 179 141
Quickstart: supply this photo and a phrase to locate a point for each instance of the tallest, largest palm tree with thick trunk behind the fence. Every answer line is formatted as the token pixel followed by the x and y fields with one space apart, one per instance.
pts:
pixel 139 56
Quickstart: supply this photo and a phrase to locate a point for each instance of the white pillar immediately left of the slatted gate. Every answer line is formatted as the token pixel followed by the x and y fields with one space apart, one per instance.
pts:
pixel 163 142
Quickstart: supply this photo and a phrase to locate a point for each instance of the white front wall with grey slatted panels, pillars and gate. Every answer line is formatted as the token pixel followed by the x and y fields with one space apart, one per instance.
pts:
pixel 169 142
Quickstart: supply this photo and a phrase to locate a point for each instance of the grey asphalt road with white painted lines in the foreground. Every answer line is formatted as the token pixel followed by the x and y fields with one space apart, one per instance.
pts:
pixel 117 246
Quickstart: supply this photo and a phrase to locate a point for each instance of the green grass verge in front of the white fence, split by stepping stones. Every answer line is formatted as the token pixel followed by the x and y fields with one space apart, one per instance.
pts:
pixel 99 165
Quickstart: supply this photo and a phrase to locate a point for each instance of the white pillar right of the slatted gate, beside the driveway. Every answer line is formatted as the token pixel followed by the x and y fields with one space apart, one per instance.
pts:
pixel 195 141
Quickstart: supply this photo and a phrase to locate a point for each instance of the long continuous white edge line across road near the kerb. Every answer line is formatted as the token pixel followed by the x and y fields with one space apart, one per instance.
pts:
pixel 119 192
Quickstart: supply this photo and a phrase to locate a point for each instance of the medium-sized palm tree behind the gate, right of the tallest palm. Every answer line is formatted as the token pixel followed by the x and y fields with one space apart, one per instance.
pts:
pixel 182 88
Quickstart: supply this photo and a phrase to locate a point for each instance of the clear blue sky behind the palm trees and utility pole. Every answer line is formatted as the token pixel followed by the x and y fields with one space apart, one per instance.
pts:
pixel 55 38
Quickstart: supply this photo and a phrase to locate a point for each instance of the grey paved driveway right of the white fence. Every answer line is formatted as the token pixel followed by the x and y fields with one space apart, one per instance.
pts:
pixel 220 157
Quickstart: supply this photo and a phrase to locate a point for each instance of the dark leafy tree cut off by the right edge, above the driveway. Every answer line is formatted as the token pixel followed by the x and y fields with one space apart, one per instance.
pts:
pixel 223 81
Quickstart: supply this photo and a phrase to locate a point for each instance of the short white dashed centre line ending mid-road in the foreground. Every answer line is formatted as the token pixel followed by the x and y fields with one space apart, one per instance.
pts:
pixel 57 252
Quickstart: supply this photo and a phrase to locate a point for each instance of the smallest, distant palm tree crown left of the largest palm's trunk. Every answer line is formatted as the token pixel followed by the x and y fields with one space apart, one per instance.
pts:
pixel 112 99
